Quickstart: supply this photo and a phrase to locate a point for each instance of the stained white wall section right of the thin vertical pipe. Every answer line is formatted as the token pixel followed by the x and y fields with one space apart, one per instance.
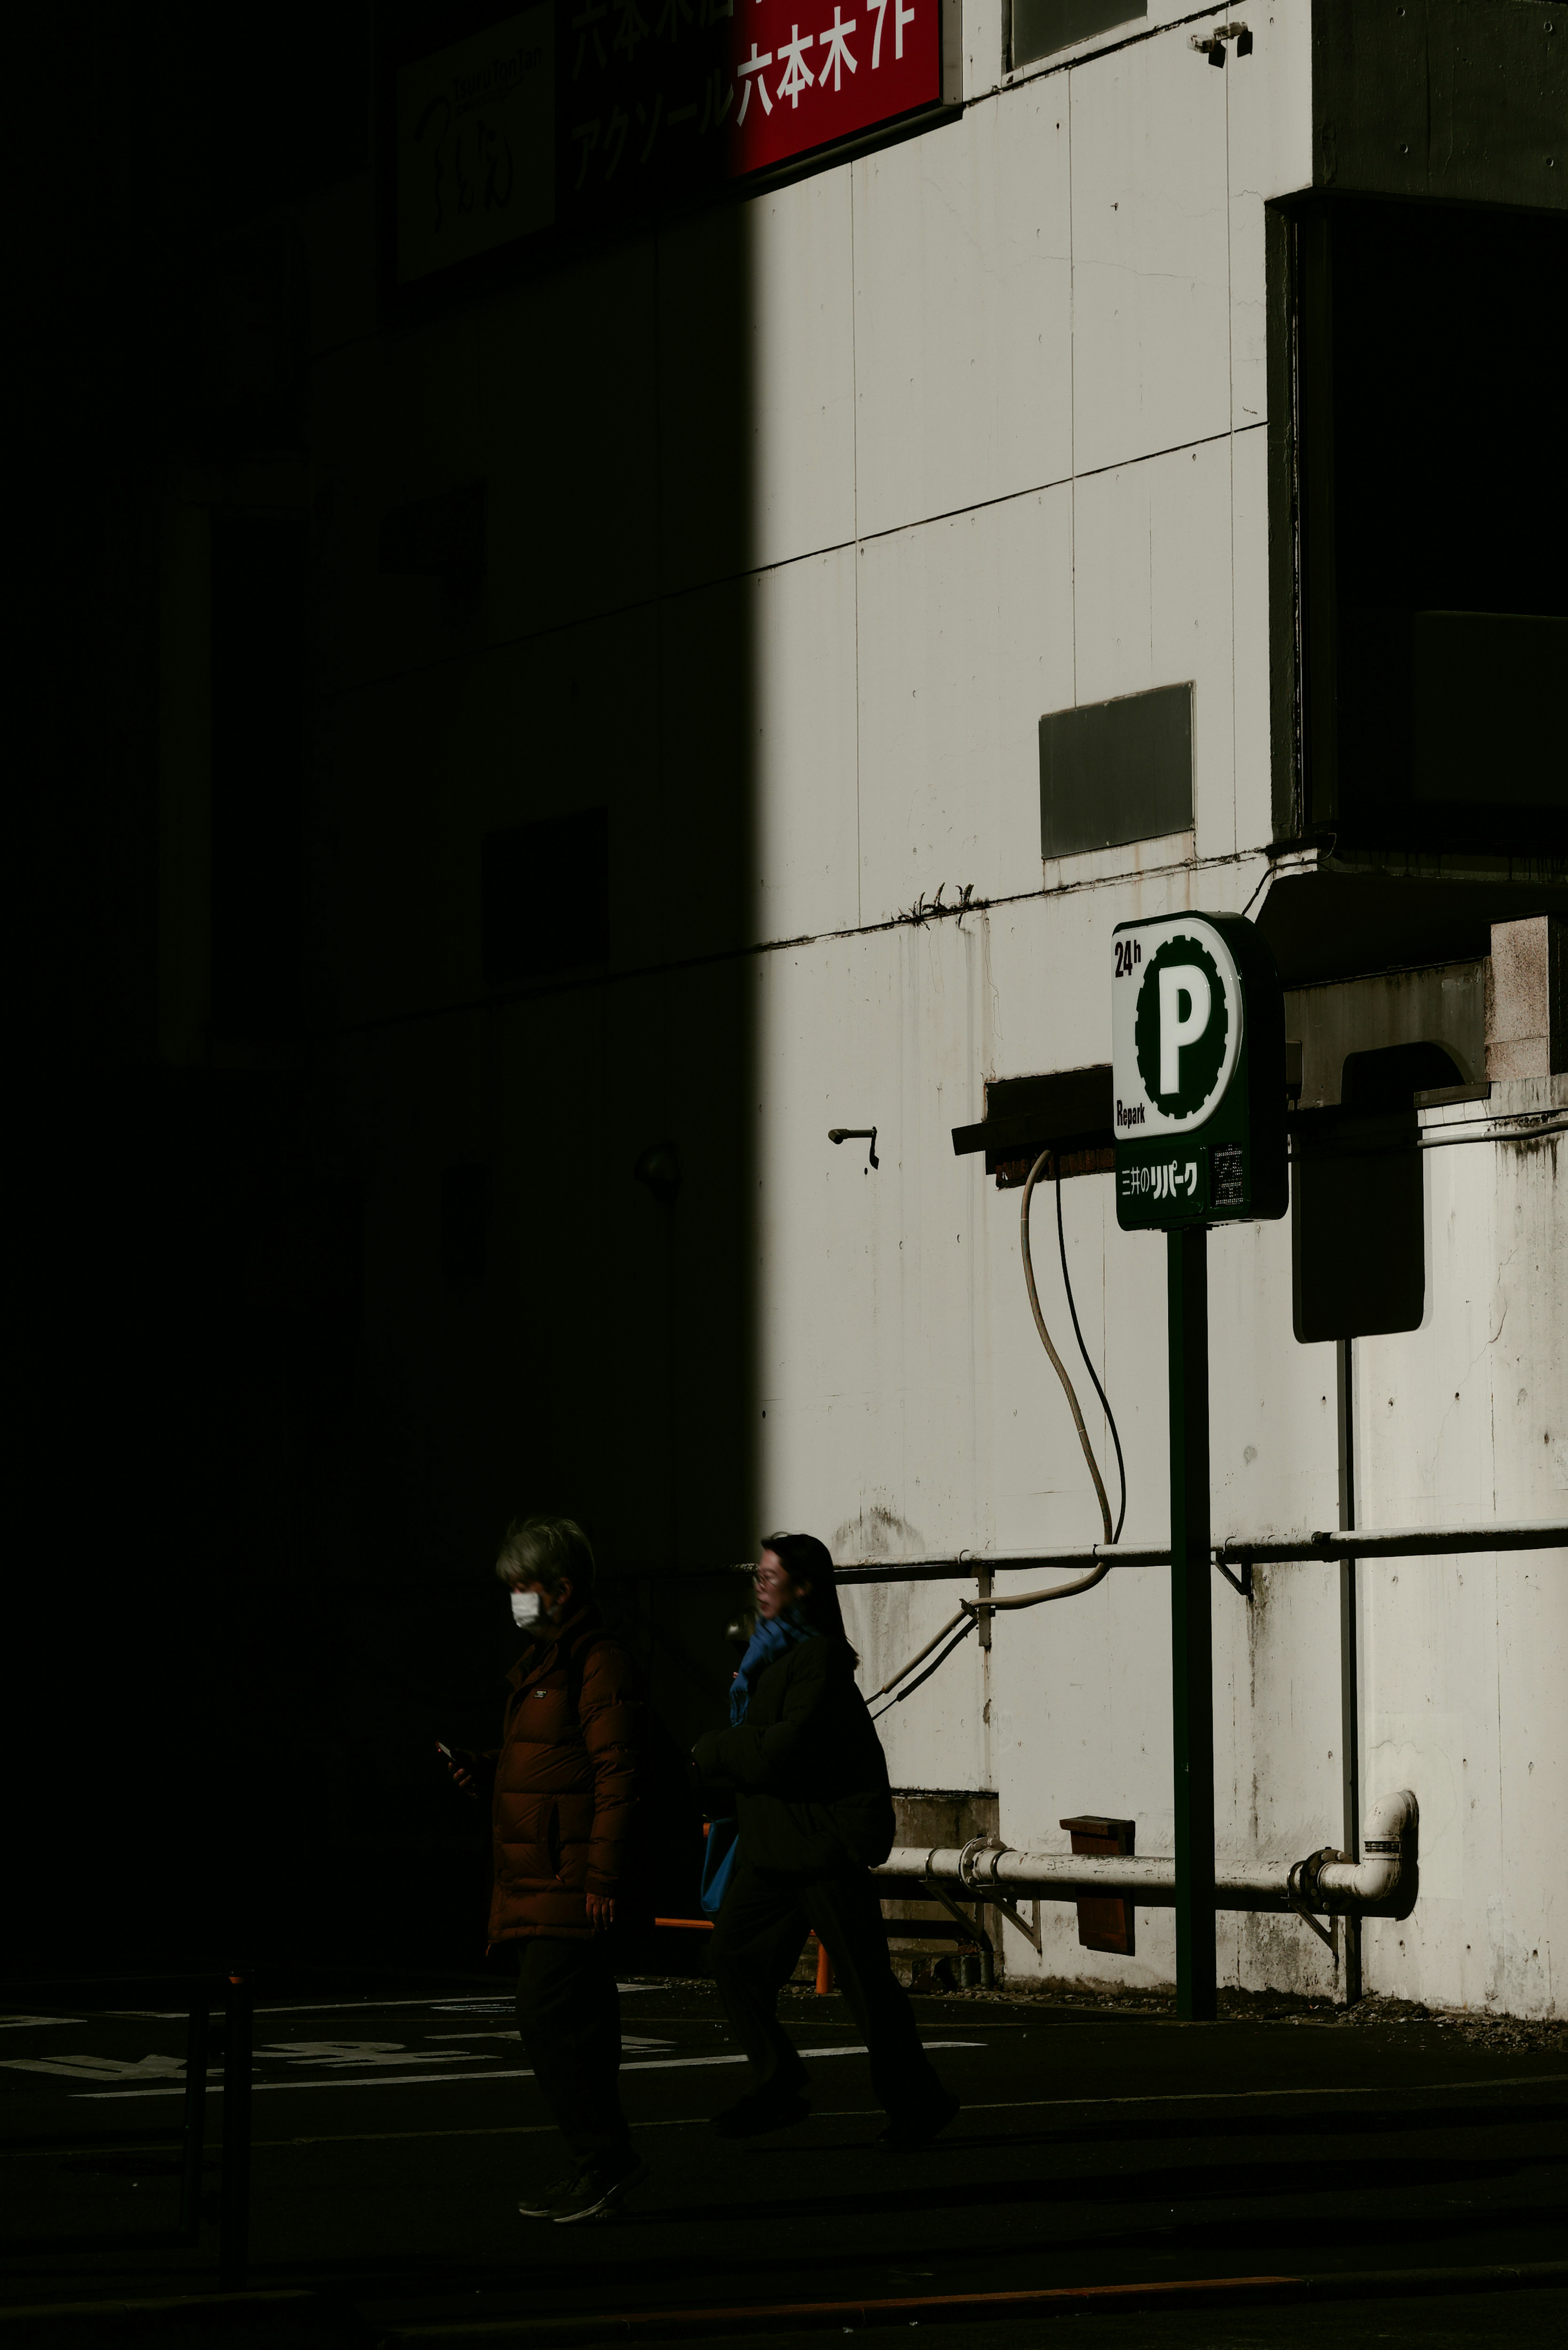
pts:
pixel 1466 1658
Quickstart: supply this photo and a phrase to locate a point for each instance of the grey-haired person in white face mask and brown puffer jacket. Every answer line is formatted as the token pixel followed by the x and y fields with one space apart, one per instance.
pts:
pixel 568 1790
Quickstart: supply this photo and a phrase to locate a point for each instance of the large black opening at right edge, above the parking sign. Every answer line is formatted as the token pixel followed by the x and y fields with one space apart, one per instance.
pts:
pixel 1433 516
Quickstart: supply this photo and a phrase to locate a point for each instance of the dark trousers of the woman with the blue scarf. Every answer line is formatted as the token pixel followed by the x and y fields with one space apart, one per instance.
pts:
pixel 756 1949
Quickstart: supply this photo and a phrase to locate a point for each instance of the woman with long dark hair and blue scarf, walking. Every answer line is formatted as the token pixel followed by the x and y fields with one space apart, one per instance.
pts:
pixel 810 1787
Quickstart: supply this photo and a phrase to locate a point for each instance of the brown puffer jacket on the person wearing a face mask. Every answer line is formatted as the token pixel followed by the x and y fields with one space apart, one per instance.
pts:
pixel 570 1782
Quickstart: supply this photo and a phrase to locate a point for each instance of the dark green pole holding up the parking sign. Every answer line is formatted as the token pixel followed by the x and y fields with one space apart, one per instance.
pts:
pixel 1191 1623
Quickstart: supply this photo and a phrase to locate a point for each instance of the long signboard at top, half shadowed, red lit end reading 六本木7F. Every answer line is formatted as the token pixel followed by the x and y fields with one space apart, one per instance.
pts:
pixel 565 114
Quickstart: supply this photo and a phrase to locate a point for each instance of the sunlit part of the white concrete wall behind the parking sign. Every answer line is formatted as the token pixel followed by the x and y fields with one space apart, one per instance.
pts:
pixel 1059 495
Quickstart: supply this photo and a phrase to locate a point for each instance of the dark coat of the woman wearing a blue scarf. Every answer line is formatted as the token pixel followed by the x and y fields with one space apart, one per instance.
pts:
pixel 805 1766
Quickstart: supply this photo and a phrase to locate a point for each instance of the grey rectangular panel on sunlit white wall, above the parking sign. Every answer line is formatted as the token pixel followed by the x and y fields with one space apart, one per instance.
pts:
pixel 1115 772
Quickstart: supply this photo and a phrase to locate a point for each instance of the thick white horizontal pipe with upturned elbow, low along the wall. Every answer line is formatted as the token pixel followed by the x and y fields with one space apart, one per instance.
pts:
pixel 1379 1886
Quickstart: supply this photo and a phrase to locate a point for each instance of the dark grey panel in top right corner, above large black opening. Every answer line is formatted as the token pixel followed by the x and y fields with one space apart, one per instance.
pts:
pixel 1435 98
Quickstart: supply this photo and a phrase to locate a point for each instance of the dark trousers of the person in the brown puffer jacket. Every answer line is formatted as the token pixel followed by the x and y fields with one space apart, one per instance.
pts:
pixel 570 2027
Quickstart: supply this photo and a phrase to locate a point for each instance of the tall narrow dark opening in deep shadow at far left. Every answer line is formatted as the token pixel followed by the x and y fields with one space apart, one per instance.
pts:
pixel 257 774
